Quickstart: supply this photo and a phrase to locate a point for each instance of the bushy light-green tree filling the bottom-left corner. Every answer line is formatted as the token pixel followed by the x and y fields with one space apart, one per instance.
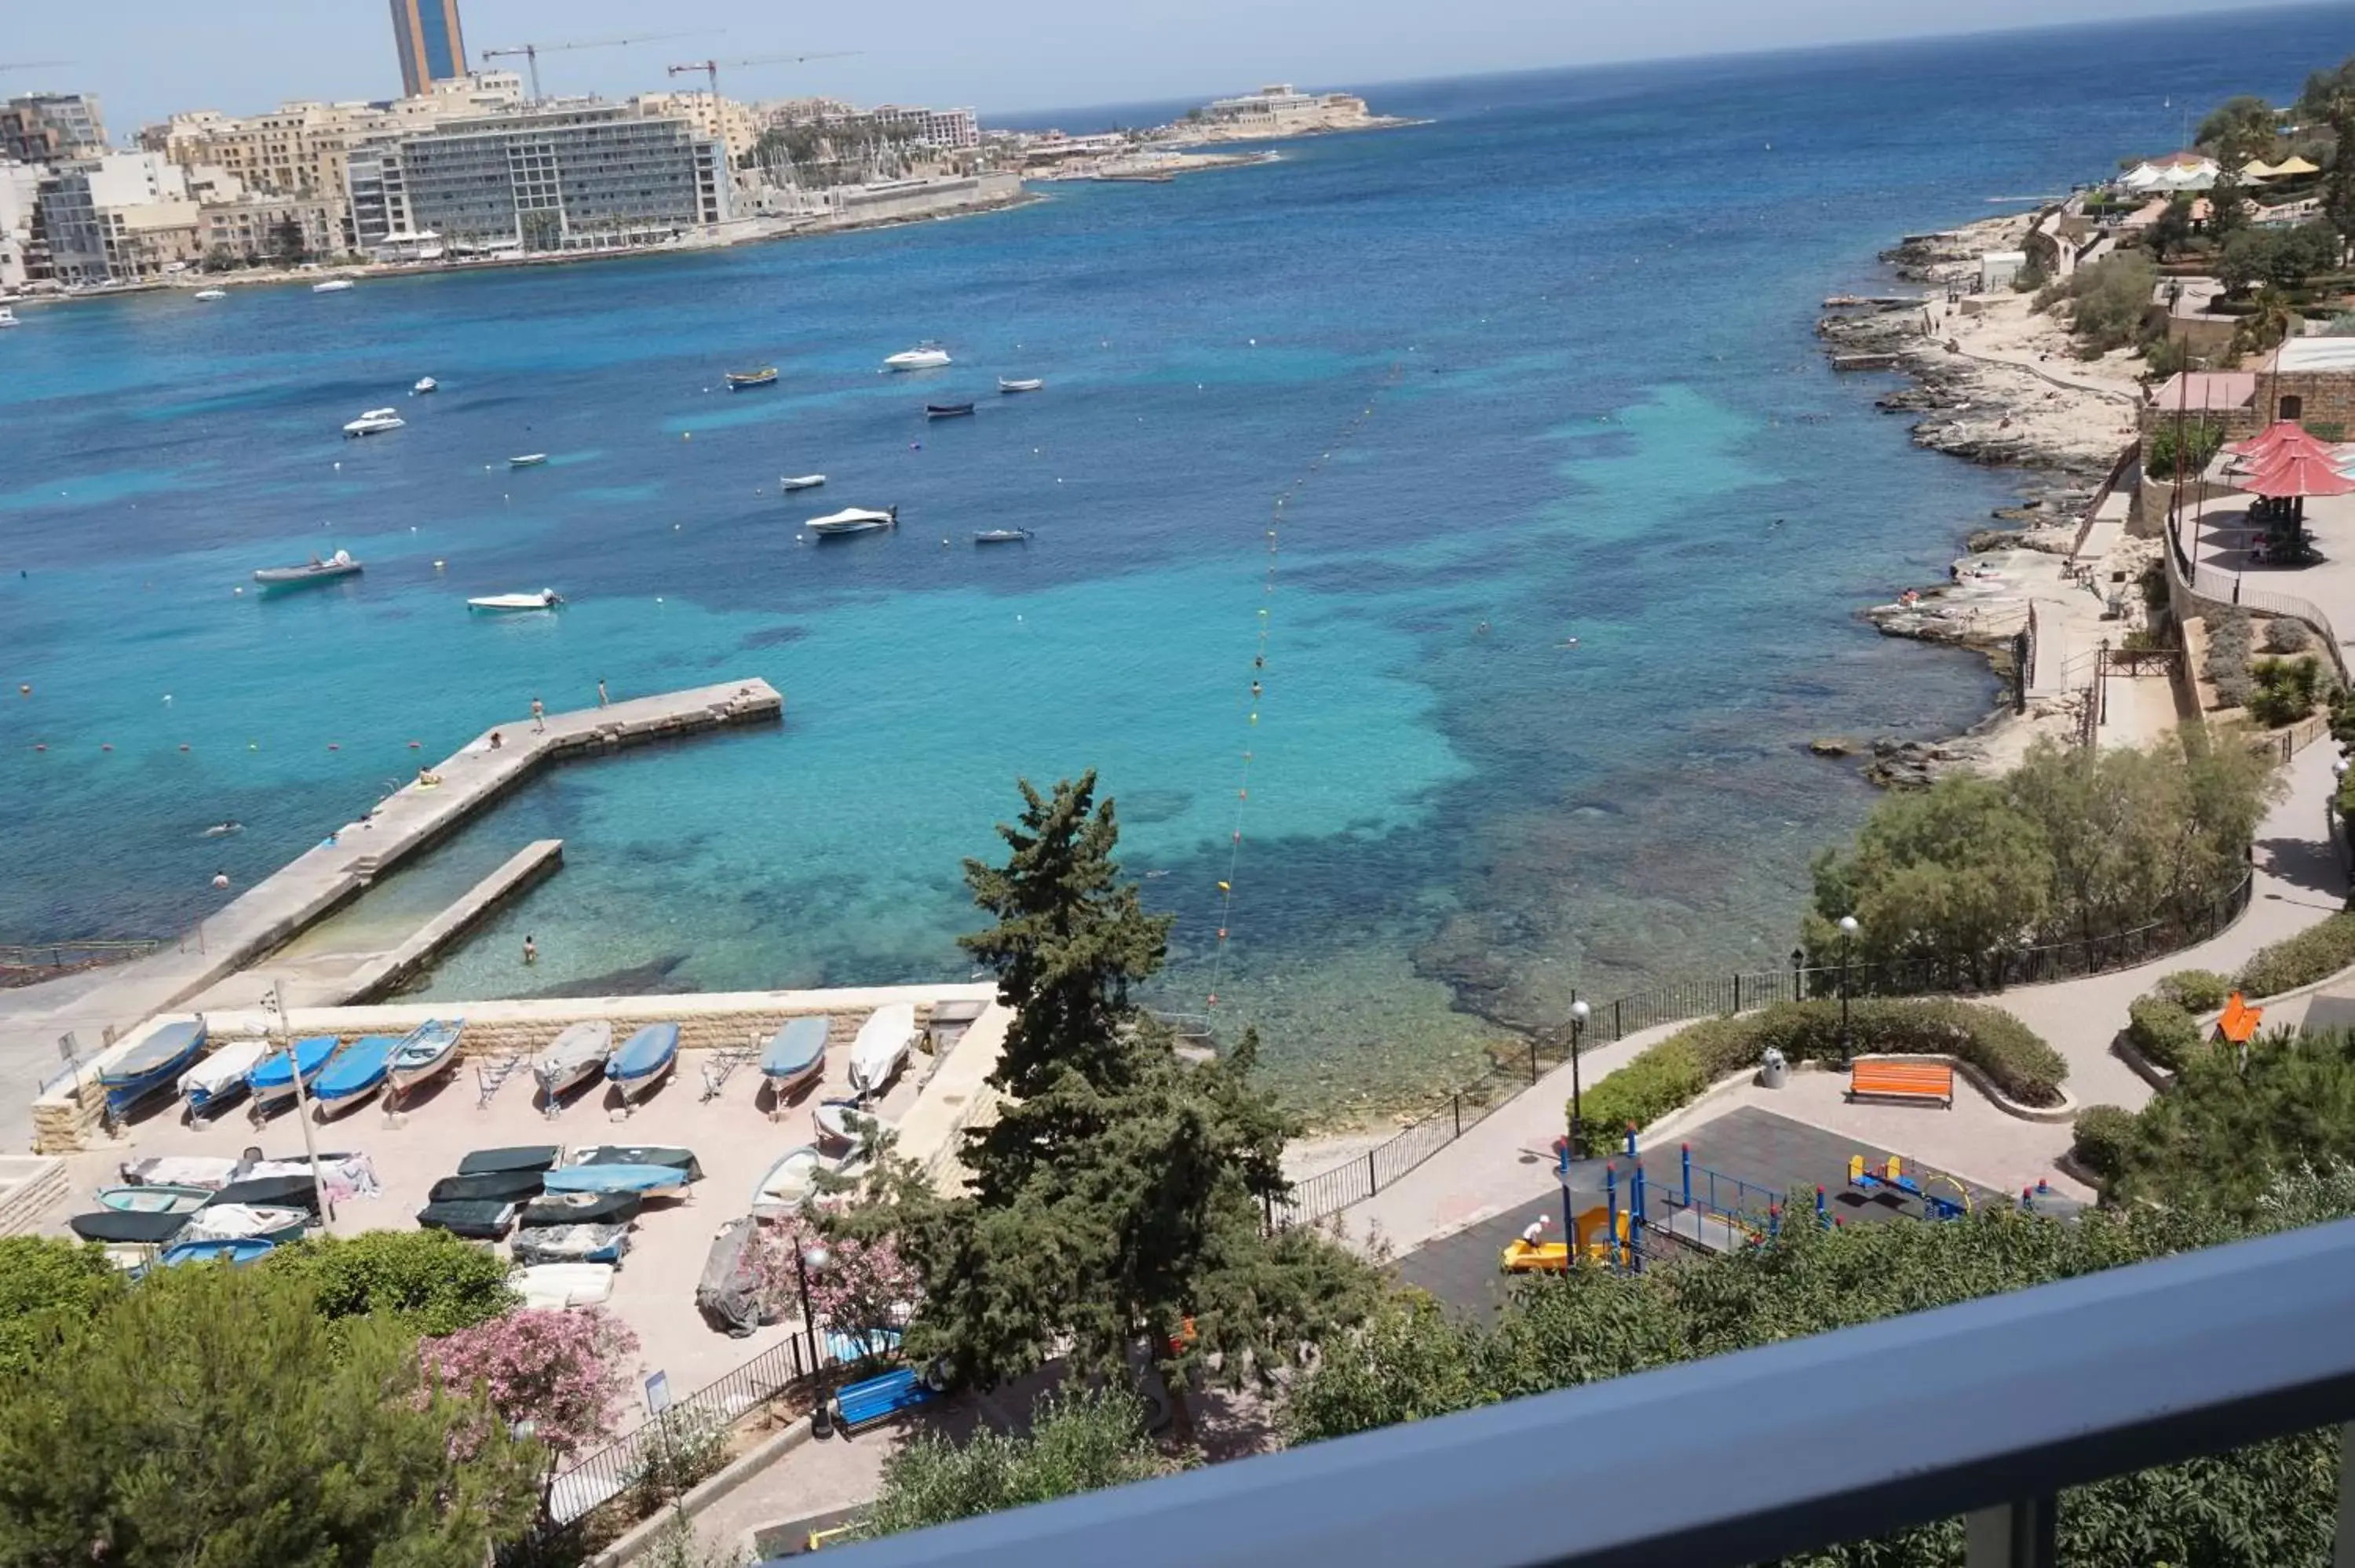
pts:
pixel 213 1418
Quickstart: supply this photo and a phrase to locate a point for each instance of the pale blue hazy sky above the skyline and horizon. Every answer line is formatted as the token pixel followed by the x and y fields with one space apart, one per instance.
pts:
pixel 154 58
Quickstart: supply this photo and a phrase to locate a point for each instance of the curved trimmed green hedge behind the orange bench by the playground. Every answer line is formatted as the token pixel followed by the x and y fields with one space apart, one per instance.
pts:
pixel 1680 1068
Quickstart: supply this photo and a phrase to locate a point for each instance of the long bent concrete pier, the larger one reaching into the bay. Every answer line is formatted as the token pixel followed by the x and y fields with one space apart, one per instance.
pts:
pixel 333 872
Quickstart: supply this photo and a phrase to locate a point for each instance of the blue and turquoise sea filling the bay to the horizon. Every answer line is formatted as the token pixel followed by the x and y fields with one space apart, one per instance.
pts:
pixel 1565 576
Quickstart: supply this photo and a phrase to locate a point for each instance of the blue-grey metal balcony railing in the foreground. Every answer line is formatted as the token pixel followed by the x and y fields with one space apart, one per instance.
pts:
pixel 1982 1411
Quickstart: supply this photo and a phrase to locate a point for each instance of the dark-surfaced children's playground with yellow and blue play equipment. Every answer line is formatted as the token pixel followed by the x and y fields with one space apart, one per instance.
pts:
pixel 1727 1185
